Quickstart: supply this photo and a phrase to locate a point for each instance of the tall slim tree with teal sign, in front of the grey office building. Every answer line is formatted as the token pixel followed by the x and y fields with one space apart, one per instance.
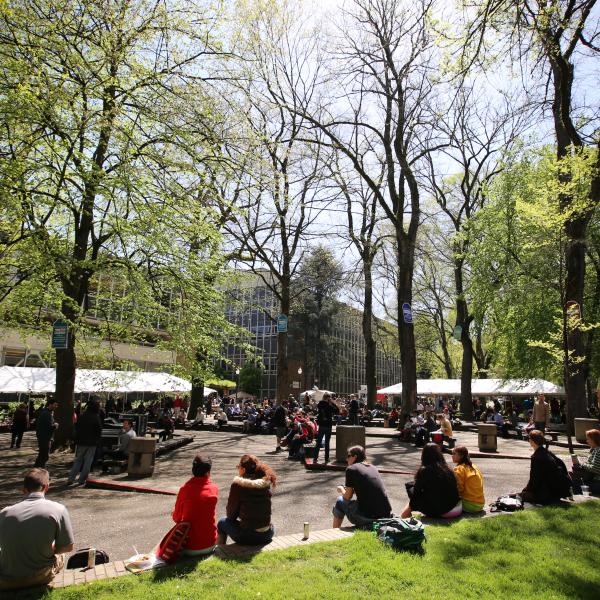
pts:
pixel 276 175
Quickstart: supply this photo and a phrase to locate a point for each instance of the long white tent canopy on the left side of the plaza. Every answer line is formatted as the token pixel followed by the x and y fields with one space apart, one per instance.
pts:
pixel 25 380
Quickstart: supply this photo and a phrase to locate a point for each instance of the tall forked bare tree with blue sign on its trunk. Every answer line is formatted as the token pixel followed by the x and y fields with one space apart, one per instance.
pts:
pixel 380 115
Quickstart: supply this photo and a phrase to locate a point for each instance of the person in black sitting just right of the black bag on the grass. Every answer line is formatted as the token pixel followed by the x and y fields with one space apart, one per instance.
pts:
pixel 549 480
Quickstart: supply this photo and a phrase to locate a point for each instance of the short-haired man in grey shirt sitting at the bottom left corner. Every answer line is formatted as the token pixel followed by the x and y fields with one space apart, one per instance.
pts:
pixel 34 535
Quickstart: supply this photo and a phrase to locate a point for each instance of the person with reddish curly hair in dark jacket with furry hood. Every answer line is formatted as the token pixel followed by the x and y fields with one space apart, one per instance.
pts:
pixel 248 519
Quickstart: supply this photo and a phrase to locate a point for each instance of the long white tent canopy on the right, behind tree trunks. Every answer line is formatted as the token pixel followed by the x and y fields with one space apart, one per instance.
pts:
pixel 480 387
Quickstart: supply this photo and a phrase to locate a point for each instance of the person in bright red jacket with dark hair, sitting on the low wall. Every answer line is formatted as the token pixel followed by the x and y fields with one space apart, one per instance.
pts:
pixel 196 503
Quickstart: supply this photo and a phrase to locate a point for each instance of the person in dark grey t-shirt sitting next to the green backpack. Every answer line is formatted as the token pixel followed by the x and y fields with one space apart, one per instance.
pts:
pixel 364 480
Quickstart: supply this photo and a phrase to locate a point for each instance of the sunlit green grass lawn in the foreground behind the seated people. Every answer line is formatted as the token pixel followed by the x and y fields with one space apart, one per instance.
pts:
pixel 547 553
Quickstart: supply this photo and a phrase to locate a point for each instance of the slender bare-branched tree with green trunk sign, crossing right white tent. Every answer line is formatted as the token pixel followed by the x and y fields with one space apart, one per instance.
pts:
pixel 479 135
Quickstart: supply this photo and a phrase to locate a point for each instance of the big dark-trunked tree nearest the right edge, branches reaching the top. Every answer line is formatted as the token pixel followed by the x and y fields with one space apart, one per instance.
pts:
pixel 548 36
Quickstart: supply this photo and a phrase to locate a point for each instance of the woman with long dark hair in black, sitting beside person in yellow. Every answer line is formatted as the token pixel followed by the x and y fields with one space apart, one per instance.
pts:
pixel 434 491
